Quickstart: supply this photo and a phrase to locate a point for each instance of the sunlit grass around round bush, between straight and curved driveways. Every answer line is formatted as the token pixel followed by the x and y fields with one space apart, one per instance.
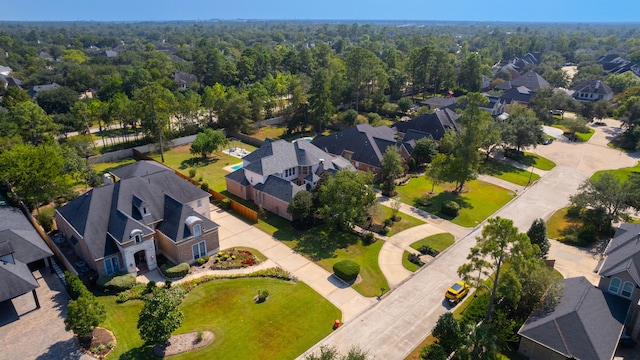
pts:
pixel 367 258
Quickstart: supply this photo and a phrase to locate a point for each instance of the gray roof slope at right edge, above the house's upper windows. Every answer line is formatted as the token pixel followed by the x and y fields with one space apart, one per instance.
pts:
pixel 623 253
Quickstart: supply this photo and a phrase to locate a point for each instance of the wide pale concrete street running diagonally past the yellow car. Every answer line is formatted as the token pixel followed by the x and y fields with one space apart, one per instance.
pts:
pixel 405 316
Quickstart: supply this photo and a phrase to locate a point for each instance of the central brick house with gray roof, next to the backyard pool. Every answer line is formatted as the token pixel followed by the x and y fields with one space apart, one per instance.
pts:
pixel 271 175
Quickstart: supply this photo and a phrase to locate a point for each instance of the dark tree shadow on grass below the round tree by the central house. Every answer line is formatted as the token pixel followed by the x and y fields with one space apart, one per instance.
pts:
pixel 322 242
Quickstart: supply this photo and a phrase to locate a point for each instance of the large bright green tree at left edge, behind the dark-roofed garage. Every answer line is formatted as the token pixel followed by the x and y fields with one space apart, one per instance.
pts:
pixel 34 172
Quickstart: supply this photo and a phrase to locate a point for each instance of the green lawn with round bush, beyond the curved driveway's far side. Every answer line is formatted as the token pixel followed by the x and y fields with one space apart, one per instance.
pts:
pixel 477 201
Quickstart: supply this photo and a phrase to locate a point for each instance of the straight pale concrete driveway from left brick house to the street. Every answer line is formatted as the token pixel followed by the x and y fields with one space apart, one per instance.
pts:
pixel 236 232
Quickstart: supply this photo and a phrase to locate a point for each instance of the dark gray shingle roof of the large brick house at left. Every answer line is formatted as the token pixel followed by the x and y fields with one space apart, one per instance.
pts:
pixel 109 213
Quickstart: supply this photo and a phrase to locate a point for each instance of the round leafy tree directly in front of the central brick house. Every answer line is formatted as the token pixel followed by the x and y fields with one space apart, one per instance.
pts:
pixel 345 198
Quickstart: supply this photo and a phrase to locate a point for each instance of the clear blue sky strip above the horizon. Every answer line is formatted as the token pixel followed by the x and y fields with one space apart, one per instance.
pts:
pixel 585 11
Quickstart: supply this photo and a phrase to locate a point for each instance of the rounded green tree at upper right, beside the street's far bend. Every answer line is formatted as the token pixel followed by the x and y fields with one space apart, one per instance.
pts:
pixel 522 128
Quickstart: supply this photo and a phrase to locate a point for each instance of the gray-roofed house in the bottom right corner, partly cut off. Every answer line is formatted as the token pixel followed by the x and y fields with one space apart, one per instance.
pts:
pixel 588 321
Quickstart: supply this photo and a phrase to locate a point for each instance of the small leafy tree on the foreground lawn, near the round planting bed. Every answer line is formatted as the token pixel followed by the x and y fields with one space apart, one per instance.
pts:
pixel 160 316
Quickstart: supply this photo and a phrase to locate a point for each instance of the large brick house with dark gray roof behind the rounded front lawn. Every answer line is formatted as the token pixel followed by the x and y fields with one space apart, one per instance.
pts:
pixel 143 209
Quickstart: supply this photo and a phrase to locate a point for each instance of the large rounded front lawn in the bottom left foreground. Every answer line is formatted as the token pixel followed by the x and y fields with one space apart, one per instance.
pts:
pixel 293 319
